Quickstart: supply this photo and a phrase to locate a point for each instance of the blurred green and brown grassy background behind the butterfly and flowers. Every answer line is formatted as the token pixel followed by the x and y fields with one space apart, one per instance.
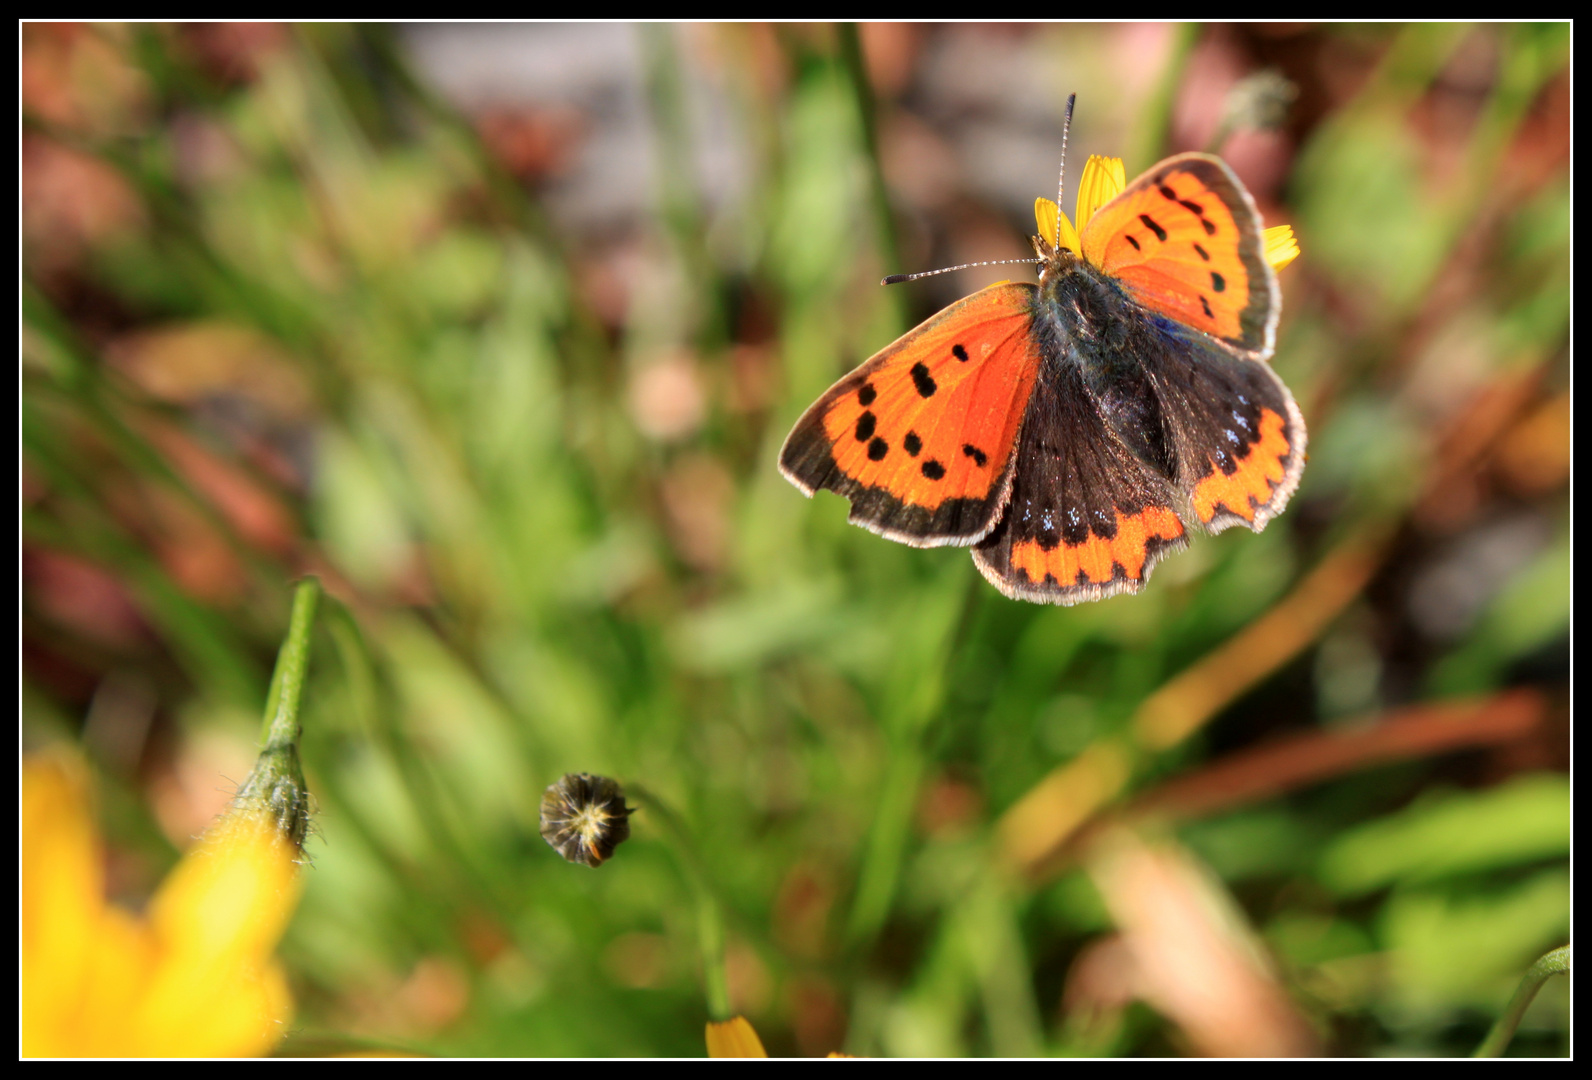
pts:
pixel 499 331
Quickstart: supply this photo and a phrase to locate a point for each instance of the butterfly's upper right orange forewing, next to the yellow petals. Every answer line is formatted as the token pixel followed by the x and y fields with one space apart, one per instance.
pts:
pixel 1187 241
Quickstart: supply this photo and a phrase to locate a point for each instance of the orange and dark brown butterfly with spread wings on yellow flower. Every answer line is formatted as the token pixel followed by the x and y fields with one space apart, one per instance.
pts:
pixel 1074 431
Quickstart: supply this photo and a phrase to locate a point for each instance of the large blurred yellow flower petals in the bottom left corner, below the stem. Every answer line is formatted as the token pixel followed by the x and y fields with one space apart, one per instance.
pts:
pixel 193 977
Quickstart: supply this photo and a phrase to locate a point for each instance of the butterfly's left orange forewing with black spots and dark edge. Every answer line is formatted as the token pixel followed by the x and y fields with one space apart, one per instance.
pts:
pixel 921 437
